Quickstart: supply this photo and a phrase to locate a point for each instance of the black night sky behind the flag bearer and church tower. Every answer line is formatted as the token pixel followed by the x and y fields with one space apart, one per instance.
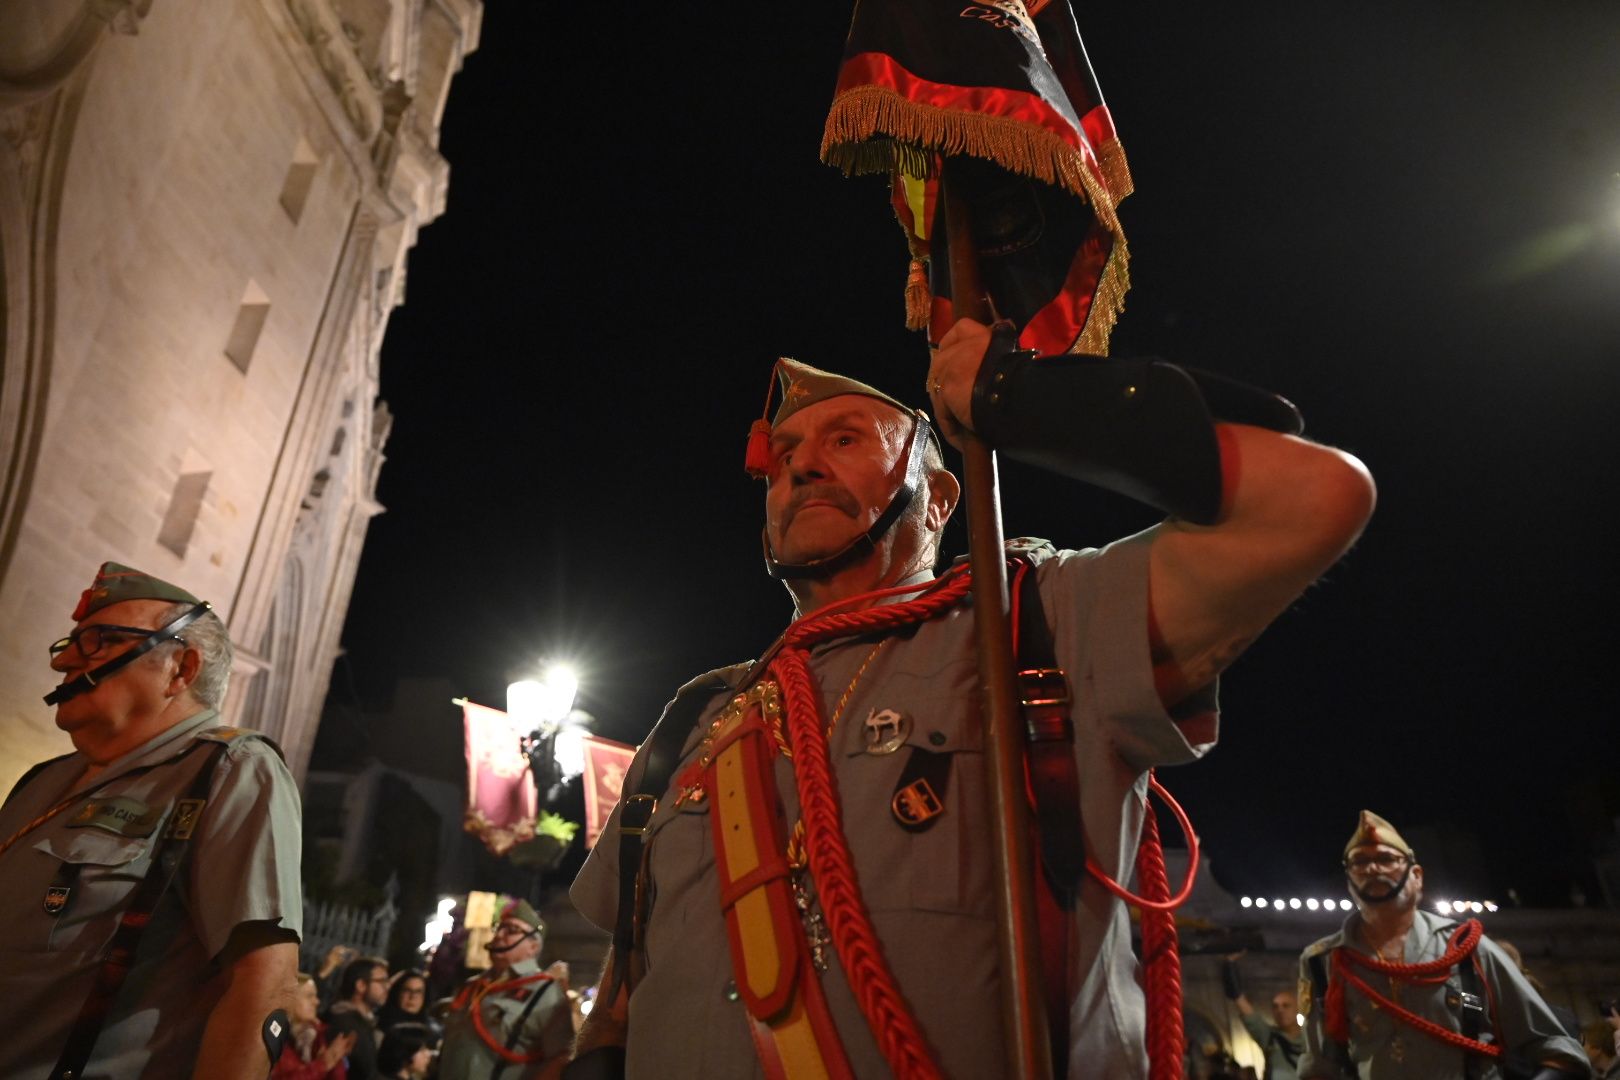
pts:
pixel 1407 221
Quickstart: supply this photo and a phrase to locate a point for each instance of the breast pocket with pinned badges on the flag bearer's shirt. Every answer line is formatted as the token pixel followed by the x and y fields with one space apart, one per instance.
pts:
pixel 913 786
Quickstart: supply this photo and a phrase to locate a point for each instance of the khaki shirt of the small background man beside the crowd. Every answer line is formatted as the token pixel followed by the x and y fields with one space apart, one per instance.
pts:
pixel 547 1029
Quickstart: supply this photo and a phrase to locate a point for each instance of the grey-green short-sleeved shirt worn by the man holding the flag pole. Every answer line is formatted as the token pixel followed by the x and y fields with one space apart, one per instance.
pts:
pixel 931 895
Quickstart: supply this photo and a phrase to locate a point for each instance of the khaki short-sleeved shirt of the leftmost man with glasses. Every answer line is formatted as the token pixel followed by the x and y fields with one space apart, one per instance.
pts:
pixel 242 867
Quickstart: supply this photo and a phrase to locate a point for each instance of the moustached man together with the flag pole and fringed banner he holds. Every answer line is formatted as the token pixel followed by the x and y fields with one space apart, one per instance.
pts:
pixel 803 878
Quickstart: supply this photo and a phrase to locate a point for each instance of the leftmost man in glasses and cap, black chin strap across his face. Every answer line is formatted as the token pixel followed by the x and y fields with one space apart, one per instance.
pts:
pixel 151 908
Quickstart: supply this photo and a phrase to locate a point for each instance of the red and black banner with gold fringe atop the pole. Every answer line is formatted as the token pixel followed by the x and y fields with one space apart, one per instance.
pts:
pixel 1005 91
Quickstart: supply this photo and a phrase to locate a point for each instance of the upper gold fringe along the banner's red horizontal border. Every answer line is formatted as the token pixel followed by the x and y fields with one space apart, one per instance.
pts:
pixel 874 130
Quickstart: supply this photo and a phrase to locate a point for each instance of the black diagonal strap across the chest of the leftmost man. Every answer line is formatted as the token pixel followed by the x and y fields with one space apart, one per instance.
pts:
pixel 119 958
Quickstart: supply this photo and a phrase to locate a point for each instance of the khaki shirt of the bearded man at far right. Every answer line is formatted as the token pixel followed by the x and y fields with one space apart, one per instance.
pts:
pixel 1383 1048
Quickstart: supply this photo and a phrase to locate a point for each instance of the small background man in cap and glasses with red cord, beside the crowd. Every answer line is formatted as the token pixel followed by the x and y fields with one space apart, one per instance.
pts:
pixel 513 1023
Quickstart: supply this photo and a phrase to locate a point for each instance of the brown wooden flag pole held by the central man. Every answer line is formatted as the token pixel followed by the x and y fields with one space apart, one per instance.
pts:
pixel 1023 1006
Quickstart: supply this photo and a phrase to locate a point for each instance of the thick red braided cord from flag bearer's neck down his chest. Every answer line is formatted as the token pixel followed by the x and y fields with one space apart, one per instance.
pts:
pixel 856 940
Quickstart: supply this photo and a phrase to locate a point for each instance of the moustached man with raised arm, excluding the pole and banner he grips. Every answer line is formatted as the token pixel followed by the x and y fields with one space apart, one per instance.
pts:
pixel 819 869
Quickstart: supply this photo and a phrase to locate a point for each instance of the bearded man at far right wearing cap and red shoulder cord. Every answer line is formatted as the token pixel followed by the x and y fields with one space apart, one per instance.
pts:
pixel 1404 993
